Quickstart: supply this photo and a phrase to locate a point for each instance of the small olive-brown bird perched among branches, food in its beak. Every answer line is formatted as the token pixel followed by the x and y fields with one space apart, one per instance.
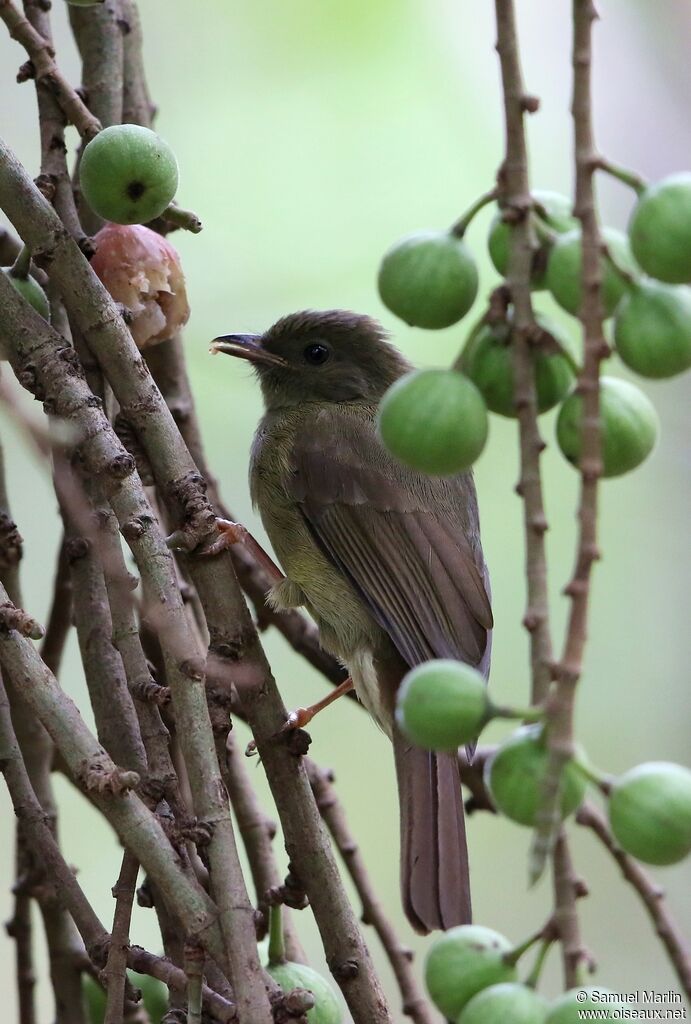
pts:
pixel 388 562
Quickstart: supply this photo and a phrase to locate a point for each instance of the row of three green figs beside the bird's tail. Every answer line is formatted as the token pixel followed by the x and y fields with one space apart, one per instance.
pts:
pixel 444 705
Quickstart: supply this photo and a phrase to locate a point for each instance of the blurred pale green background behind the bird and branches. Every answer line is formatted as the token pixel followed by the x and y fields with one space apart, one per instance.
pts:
pixel 312 136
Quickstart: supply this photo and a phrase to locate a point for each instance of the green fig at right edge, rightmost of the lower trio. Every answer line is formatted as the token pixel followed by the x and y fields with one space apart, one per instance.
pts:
pixel 651 813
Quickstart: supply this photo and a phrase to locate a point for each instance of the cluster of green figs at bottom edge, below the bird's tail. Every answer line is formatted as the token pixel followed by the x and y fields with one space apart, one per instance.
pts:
pixel 471 975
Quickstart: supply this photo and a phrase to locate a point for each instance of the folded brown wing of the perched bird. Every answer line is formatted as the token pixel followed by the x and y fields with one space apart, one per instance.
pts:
pixel 409 544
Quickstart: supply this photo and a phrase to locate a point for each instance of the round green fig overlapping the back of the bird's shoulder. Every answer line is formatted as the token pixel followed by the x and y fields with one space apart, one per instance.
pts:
pixel 435 421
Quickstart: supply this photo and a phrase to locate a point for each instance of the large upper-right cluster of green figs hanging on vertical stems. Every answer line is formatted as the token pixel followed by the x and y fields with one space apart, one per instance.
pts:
pixel 437 420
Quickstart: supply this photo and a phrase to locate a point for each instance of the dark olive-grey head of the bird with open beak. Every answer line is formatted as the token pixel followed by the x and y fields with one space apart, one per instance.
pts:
pixel 319 357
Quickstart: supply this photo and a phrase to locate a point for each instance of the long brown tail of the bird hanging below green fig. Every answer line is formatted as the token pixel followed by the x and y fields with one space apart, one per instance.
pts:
pixel 435 878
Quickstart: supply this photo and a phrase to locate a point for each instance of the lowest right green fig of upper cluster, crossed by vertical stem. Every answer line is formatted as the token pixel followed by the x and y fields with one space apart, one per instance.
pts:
pixel 629 426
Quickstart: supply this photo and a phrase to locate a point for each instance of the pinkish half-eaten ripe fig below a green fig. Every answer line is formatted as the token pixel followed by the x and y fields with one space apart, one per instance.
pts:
pixel 143 272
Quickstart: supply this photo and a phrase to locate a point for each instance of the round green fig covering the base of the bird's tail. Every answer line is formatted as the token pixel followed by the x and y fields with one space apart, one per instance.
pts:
pixel 443 705
